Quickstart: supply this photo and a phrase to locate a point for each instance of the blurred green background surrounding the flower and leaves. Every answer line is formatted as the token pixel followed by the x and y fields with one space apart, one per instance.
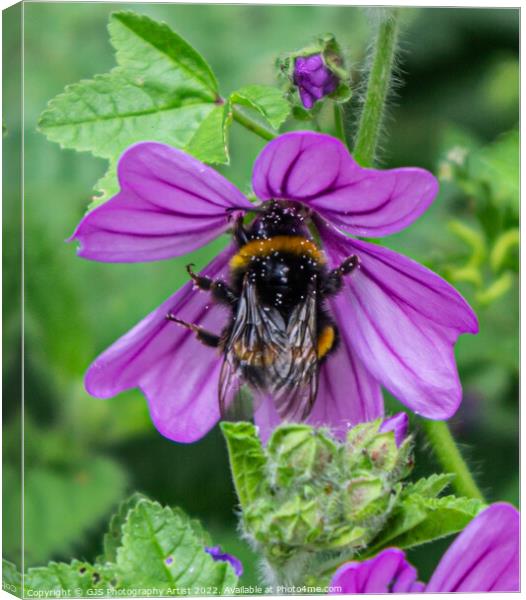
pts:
pixel 455 111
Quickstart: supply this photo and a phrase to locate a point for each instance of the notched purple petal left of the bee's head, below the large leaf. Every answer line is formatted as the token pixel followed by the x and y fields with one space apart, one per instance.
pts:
pixel 169 204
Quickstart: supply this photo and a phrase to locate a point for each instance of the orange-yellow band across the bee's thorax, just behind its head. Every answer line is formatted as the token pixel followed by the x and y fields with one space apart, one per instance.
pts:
pixel 290 244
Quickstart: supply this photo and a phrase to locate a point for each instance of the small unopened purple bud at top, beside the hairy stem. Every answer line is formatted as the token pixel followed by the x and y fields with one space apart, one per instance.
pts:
pixel 313 78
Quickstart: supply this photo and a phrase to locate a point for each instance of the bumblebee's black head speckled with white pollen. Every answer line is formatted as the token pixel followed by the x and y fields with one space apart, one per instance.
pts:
pixel 280 218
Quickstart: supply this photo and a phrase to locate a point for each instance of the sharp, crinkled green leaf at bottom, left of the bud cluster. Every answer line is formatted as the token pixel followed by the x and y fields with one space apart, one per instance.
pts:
pixel 160 549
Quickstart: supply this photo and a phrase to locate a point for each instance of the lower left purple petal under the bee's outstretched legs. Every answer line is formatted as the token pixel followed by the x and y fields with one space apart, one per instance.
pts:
pixel 178 375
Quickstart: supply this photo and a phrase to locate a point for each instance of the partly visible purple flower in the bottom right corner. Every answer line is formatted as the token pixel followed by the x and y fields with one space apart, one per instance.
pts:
pixel 483 558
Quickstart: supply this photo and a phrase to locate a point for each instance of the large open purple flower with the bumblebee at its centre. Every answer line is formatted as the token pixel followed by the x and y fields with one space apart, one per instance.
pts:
pixel 398 321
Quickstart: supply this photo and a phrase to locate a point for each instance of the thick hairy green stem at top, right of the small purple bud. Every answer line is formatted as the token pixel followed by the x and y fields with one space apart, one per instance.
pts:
pixel 378 83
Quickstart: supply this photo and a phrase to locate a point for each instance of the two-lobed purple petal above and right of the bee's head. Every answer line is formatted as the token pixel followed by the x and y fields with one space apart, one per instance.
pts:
pixel 317 169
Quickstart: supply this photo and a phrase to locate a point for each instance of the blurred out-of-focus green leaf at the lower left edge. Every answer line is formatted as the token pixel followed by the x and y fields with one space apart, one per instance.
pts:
pixel 61 506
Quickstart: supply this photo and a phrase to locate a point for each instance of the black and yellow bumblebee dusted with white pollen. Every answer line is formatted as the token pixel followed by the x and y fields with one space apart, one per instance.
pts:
pixel 280 330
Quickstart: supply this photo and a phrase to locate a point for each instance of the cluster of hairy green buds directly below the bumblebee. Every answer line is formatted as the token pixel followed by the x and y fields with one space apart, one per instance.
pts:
pixel 308 495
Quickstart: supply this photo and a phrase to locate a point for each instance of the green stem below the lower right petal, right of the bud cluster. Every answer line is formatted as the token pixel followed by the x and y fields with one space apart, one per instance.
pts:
pixel 449 456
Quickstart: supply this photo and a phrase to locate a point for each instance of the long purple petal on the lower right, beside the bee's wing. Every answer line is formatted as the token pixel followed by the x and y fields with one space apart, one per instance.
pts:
pixel 403 321
